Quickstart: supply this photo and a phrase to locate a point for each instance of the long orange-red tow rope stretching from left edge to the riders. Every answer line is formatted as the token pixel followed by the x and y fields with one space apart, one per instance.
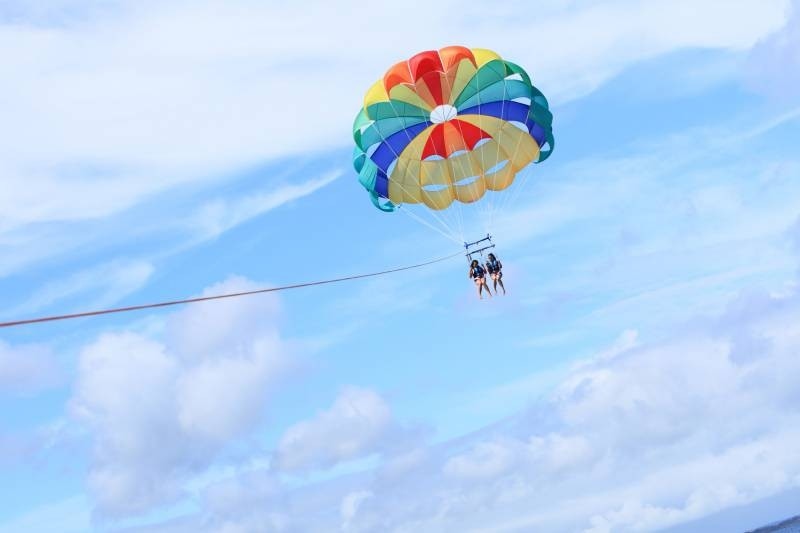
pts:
pixel 218 296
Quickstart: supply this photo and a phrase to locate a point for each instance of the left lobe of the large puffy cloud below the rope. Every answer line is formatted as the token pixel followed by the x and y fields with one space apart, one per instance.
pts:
pixel 125 396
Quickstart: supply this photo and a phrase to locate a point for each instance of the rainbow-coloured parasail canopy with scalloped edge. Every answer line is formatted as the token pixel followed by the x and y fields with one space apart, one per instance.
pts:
pixel 448 125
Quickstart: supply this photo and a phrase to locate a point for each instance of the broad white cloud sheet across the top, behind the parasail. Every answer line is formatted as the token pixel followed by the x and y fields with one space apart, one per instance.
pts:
pixel 123 120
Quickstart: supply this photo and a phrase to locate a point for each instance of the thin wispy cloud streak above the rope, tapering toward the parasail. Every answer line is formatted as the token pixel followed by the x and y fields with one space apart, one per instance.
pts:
pixel 112 280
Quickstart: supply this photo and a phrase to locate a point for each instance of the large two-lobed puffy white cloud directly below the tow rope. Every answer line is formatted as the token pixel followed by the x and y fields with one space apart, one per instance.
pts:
pixel 159 412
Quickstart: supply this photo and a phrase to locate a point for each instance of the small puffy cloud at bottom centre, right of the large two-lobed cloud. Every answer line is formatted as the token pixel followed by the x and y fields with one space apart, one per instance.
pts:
pixel 356 425
